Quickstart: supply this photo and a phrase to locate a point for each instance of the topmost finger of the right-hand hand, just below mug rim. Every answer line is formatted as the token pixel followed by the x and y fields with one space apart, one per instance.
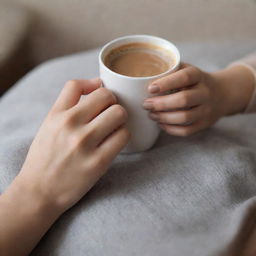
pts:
pixel 187 76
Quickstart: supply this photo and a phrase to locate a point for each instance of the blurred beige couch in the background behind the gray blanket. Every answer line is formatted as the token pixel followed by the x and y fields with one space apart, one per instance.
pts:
pixel 34 31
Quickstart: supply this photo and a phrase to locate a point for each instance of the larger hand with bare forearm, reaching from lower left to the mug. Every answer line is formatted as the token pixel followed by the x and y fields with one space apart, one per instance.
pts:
pixel 72 149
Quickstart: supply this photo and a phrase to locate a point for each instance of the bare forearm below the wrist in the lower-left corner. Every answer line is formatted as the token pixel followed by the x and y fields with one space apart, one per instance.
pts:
pixel 24 219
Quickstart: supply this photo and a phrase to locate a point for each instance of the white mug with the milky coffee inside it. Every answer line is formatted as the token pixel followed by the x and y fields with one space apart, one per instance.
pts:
pixel 127 66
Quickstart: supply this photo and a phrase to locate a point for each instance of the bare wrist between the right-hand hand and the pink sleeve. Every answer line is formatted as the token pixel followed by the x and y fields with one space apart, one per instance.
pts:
pixel 236 85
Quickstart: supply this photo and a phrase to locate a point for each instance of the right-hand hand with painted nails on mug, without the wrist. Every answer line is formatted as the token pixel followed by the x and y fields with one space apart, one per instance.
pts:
pixel 195 104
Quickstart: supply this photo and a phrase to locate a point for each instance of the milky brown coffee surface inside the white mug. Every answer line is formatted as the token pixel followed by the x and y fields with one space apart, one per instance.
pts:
pixel 139 60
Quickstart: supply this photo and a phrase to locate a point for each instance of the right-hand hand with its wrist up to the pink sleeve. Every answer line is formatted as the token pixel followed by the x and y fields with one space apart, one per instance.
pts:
pixel 199 98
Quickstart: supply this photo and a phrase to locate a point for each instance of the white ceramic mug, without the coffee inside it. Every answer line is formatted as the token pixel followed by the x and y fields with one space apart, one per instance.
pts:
pixel 132 91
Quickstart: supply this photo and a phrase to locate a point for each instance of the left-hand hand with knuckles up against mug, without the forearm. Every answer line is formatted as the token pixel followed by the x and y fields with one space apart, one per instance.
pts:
pixel 75 144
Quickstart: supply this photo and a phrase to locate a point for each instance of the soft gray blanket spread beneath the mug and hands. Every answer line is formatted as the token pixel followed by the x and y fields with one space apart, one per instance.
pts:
pixel 187 196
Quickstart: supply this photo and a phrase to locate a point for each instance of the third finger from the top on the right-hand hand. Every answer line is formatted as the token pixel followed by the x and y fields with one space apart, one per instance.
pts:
pixel 184 117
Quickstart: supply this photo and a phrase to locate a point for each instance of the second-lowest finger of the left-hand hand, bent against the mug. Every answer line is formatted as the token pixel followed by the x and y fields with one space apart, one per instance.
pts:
pixel 106 123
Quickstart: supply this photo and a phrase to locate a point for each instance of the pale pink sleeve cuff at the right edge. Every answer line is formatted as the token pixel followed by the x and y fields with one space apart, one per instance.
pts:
pixel 250 62
